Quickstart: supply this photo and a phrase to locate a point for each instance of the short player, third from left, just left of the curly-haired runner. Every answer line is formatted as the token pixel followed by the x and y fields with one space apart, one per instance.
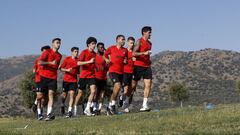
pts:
pixel 70 69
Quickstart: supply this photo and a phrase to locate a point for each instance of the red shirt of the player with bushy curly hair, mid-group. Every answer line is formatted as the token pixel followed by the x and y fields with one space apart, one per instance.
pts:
pixel 87 70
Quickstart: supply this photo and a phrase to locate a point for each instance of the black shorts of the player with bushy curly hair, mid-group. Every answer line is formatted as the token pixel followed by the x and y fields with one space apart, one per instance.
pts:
pixel 83 82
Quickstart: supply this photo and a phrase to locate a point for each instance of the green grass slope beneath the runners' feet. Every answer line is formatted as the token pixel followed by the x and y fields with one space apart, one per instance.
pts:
pixel 223 119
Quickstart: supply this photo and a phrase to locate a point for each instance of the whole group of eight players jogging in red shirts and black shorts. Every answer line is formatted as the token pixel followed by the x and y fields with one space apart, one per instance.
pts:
pixel 89 70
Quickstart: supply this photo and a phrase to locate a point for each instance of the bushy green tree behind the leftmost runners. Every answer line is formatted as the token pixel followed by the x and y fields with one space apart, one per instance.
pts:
pixel 26 84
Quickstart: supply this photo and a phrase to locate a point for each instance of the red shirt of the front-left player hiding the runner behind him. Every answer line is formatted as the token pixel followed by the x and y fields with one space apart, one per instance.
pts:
pixel 50 71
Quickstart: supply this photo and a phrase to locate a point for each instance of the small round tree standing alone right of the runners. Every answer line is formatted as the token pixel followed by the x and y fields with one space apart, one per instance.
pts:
pixel 178 92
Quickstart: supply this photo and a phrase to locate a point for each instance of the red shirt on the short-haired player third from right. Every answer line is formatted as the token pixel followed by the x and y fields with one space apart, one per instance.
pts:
pixel 117 56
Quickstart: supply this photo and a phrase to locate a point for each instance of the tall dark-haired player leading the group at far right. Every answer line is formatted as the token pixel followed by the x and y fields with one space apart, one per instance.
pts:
pixel 142 65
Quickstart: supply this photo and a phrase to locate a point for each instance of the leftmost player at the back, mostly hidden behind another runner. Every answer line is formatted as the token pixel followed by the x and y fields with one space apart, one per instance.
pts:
pixel 40 95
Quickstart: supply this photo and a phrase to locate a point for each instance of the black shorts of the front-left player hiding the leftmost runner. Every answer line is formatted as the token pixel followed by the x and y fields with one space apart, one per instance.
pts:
pixel 48 84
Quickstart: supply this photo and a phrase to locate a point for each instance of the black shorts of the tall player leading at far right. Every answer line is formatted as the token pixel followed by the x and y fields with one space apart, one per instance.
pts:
pixel 142 72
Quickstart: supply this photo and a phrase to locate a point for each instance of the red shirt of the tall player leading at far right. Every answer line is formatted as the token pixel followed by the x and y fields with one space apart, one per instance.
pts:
pixel 143 60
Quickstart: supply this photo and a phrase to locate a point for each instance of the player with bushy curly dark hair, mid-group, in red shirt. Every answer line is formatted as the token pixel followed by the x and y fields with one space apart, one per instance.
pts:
pixel 87 75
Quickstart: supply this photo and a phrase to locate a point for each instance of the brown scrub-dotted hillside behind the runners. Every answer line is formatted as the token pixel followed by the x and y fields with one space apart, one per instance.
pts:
pixel 210 75
